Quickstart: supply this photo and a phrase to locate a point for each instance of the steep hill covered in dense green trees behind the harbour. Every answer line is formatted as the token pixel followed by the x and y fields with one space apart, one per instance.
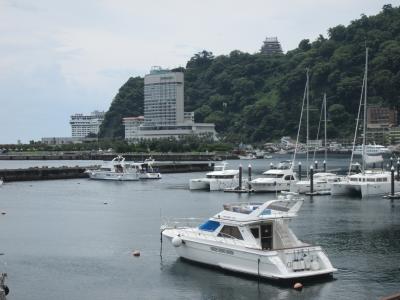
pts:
pixel 256 97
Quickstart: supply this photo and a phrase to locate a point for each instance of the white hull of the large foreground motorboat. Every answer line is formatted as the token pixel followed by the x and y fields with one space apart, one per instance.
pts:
pixel 266 264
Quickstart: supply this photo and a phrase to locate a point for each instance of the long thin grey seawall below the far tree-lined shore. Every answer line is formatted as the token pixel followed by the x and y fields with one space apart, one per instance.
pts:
pixel 110 156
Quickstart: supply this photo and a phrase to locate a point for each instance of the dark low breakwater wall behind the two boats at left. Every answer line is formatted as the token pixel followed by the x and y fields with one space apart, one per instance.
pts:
pixel 46 173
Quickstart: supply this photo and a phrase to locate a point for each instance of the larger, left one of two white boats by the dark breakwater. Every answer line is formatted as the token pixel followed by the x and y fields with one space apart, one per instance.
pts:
pixel 117 169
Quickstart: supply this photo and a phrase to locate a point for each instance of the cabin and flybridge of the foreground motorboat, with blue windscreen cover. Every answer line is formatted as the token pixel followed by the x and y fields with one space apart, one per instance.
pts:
pixel 258 226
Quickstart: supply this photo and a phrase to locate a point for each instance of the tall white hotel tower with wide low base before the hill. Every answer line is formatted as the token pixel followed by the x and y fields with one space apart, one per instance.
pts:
pixel 164 114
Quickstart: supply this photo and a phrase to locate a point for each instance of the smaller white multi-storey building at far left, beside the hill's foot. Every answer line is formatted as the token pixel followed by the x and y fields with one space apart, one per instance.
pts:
pixel 82 125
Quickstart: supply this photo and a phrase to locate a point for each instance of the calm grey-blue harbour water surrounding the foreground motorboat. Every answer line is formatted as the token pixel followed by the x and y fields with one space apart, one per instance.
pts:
pixel 59 240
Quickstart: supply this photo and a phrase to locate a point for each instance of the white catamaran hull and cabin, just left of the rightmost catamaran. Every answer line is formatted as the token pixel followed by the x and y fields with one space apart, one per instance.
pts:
pixel 322 182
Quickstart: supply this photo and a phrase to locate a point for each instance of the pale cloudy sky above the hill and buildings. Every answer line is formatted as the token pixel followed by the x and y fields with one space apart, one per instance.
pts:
pixel 58 57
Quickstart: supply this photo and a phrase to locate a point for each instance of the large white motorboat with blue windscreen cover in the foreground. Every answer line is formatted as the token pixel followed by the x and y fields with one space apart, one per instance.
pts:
pixel 251 238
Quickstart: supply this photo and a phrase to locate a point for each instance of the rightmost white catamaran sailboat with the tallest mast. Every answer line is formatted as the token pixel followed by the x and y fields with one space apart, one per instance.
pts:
pixel 368 182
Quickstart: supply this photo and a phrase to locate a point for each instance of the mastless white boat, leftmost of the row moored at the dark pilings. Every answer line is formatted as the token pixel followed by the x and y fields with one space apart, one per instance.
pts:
pixel 217 180
